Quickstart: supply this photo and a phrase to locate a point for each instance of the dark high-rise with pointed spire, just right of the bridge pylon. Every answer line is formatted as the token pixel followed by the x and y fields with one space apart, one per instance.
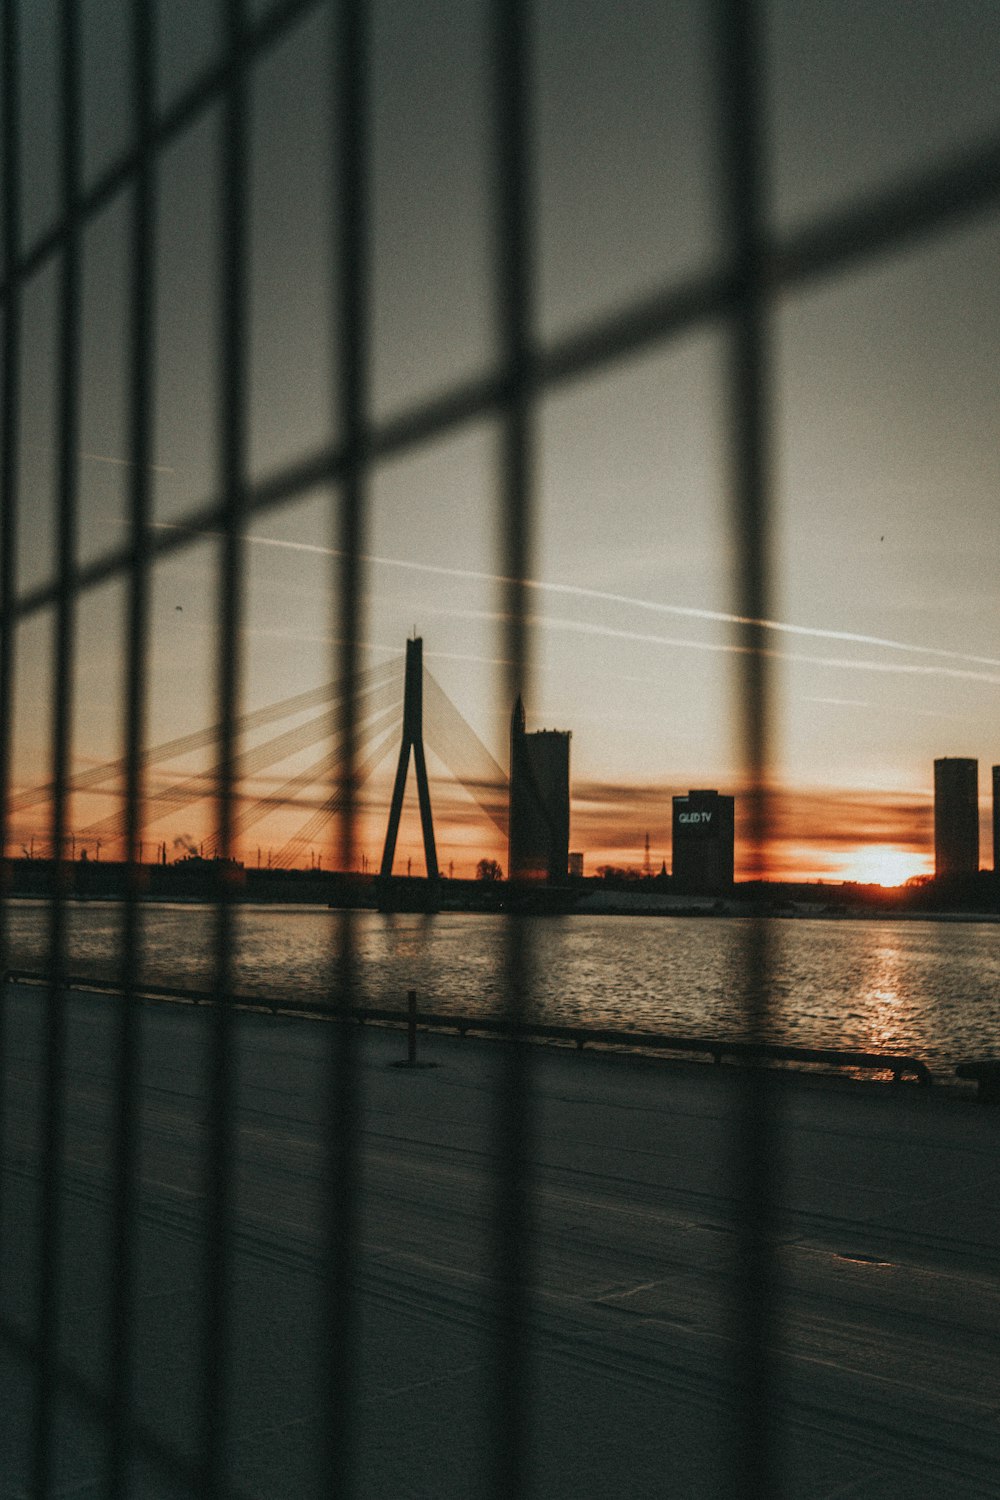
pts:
pixel 539 802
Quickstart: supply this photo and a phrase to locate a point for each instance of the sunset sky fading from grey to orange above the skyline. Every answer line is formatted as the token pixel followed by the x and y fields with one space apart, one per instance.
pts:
pixel 887 616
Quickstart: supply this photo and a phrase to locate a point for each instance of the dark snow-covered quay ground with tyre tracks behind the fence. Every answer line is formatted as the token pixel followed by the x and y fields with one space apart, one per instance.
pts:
pixel 888 1256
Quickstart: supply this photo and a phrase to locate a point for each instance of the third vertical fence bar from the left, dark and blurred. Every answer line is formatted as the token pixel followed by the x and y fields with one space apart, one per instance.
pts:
pixel 128 1063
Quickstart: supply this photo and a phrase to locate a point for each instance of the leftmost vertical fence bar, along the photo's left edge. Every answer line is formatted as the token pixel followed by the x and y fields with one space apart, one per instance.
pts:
pixel 10 440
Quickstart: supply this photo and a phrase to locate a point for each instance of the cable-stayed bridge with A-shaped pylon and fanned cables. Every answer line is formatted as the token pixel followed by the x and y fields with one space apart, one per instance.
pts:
pixel 385 722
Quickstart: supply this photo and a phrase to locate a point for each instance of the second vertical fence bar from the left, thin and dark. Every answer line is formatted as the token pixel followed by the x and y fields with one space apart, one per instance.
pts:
pixel 53 1099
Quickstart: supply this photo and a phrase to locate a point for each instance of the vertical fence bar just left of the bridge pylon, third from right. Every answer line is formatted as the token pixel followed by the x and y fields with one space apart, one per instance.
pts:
pixel 350 70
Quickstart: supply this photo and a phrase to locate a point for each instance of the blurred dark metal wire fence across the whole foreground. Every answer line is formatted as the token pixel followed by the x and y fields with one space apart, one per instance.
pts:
pixel 758 271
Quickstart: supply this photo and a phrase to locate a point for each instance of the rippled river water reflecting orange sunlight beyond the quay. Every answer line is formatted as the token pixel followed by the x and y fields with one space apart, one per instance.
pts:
pixel 929 989
